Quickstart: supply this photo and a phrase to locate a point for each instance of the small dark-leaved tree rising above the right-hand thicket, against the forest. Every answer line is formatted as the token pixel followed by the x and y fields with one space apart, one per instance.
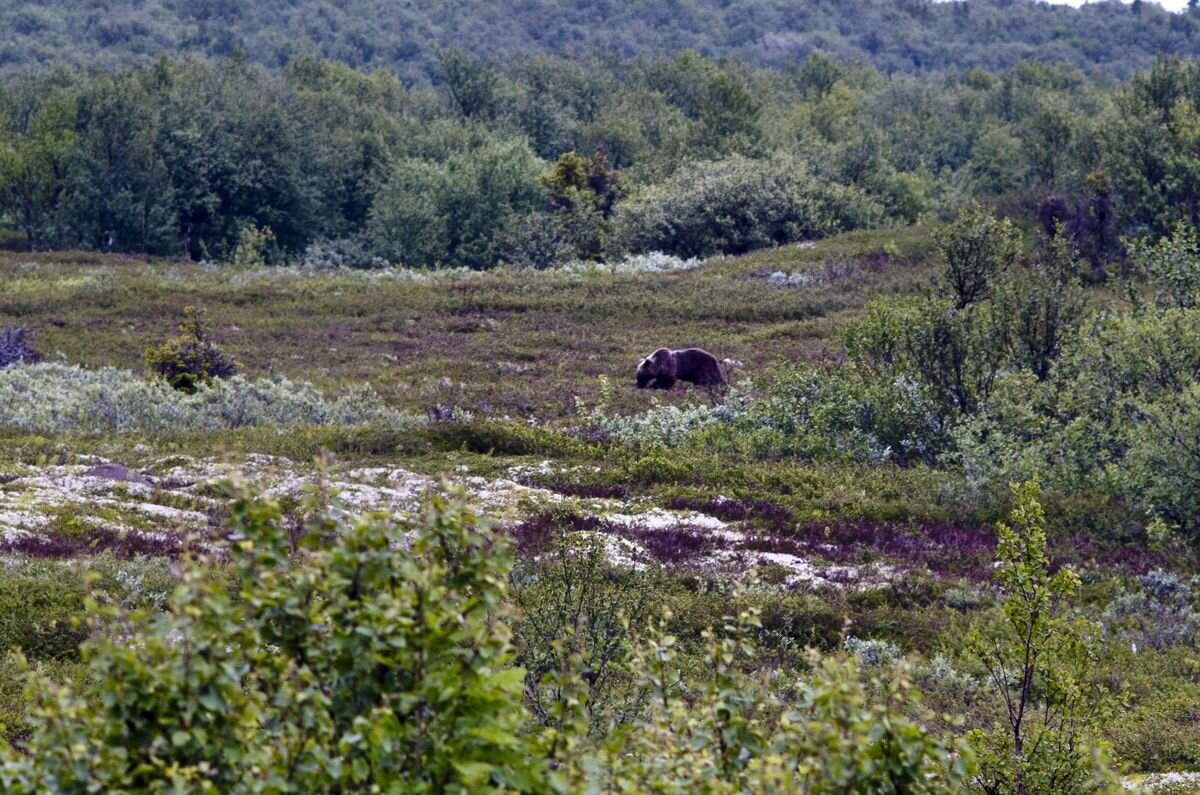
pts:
pixel 976 247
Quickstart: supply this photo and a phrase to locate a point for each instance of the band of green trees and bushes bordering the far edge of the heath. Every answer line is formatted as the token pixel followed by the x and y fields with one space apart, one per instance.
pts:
pixel 547 159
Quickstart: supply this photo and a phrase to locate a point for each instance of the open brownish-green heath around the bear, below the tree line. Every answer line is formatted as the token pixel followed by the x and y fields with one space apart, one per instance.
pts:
pixel 503 343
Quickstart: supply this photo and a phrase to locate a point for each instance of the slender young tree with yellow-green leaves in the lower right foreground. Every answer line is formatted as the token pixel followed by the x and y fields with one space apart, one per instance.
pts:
pixel 1040 666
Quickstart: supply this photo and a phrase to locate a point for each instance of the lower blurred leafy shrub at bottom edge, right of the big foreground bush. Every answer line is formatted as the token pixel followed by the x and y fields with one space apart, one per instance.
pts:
pixel 729 736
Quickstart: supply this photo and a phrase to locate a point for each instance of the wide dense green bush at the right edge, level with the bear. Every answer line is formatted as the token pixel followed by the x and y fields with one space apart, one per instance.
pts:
pixel 1117 416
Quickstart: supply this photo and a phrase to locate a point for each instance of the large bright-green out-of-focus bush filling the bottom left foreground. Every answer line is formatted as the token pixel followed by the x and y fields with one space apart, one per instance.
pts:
pixel 361 666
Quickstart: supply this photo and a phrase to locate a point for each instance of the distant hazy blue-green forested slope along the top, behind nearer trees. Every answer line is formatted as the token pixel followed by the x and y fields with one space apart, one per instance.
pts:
pixel 1108 38
